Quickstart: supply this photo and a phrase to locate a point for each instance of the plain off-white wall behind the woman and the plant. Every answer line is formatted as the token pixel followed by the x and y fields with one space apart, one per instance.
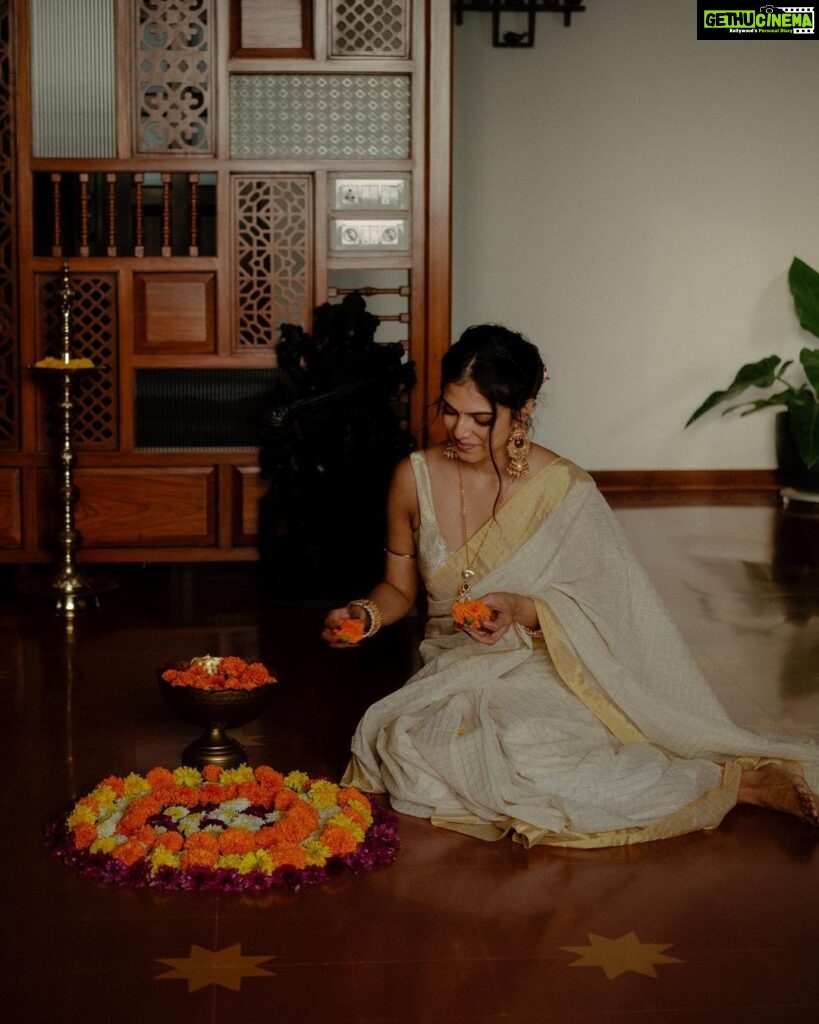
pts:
pixel 631 200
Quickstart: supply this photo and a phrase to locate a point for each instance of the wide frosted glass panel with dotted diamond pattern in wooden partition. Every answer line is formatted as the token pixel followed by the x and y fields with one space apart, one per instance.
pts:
pixel 344 117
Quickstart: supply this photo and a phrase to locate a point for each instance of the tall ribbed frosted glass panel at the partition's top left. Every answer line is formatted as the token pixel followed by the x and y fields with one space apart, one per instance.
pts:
pixel 74 102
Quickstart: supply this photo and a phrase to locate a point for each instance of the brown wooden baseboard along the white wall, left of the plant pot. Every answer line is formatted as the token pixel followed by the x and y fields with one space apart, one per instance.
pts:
pixel 688 487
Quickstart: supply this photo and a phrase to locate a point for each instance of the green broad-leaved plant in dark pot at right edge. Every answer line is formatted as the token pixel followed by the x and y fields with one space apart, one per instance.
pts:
pixel 798 424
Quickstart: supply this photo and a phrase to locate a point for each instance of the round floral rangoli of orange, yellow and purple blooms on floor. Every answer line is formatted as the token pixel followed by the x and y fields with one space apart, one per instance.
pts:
pixel 223 829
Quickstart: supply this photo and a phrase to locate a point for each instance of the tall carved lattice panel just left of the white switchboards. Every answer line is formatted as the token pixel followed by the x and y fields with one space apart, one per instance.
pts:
pixel 273 233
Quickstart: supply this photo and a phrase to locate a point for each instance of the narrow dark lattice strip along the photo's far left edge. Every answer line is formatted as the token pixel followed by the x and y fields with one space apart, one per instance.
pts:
pixel 9 306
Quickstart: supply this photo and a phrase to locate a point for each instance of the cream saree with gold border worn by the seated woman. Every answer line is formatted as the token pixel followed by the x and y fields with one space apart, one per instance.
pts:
pixel 605 734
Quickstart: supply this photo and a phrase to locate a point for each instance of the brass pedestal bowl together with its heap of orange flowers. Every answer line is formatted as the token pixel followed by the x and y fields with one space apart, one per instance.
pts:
pixel 217 694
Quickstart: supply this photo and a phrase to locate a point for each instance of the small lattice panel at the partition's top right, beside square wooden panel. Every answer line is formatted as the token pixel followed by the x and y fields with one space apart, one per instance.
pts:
pixel 365 28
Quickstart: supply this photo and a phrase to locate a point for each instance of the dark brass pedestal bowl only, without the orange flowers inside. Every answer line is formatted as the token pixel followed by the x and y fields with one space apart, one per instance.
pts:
pixel 215 711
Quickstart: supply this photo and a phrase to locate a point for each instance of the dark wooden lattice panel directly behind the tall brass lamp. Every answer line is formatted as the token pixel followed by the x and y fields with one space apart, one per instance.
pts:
pixel 95 332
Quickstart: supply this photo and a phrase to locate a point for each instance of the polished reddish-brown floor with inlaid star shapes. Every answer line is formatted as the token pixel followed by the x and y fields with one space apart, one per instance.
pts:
pixel 722 927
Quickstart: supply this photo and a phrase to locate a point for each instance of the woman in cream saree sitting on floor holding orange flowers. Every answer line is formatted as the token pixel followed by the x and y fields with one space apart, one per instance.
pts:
pixel 576 716
